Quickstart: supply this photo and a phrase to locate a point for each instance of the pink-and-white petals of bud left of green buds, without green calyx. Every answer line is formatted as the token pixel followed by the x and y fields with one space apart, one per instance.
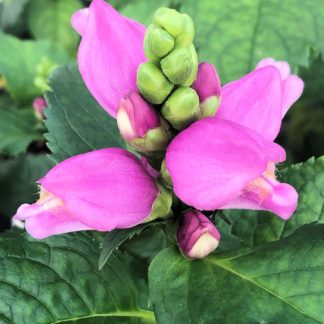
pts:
pixel 135 117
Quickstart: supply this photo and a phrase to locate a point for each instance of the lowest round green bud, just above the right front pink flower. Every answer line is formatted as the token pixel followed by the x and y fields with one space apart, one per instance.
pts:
pixel 181 108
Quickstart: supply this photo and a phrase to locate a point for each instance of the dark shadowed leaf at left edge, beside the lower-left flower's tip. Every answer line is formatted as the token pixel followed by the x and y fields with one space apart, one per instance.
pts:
pixel 17 180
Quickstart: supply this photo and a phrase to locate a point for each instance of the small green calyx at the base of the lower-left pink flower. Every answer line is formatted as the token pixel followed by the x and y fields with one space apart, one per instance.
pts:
pixel 162 205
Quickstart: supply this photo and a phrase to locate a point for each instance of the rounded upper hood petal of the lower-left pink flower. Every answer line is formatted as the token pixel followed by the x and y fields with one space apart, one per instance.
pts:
pixel 103 189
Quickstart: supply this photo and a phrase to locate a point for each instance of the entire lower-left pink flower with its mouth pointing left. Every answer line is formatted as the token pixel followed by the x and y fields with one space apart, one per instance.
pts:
pixel 100 190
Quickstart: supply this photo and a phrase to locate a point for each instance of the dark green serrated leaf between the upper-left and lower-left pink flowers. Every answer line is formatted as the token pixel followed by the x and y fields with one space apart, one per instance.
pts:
pixel 76 122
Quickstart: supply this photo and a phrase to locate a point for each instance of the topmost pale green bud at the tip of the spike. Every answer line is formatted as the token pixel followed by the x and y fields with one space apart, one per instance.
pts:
pixel 179 26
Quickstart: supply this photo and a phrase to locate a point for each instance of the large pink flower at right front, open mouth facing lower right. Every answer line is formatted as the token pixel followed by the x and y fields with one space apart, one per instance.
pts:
pixel 216 164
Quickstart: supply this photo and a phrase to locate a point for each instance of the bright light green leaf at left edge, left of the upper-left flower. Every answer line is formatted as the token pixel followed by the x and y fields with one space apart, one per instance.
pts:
pixel 19 60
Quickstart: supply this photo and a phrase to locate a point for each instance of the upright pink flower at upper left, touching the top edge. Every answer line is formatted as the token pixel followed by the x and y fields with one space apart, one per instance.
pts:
pixel 110 52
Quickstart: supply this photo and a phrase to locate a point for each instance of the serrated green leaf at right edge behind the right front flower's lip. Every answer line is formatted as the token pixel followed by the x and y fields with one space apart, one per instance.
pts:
pixel 255 227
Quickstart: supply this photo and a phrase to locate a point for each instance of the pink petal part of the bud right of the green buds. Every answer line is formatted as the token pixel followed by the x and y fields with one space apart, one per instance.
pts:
pixel 207 83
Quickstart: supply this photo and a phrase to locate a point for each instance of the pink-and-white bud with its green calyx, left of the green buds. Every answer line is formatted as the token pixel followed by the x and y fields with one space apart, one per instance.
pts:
pixel 140 125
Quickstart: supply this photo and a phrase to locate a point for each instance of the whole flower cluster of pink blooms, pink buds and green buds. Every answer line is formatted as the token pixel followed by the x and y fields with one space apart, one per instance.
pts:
pixel 204 146
